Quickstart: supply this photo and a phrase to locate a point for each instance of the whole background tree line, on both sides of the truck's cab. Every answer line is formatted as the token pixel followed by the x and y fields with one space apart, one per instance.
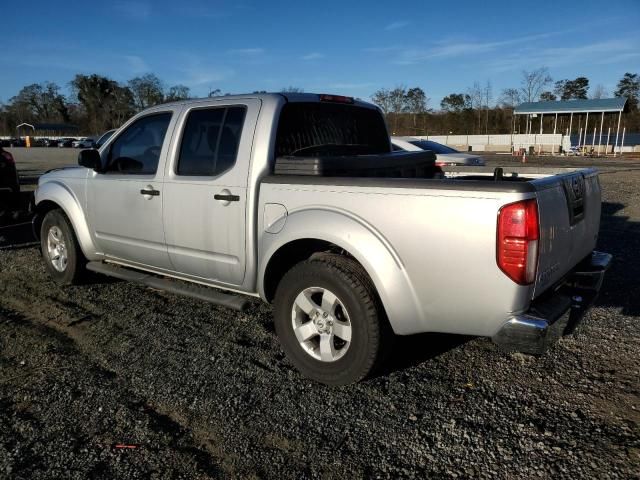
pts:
pixel 97 103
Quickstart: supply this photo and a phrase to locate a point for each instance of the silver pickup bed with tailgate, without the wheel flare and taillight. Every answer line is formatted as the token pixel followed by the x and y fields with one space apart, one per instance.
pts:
pixel 451 252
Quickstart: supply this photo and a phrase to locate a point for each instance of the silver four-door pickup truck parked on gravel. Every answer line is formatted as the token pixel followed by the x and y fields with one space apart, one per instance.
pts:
pixel 279 196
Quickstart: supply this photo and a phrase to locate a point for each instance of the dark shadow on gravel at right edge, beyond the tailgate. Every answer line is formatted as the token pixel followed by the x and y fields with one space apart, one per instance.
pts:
pixel 621 238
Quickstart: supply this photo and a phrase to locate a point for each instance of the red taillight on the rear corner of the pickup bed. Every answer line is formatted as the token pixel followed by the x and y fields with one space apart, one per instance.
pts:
pixel 517 246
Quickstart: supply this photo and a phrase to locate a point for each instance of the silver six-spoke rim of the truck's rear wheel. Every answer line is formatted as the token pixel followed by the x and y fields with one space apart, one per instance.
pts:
pixel 321 324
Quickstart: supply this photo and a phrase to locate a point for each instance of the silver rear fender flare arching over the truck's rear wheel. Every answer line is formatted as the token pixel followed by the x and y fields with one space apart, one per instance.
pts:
pixel 362 241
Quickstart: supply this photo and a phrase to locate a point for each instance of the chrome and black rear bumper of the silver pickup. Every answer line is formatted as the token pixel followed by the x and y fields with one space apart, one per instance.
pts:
pixel 558 312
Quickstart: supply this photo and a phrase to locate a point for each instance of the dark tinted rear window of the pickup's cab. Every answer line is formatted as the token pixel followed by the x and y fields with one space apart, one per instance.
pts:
pixel 307 128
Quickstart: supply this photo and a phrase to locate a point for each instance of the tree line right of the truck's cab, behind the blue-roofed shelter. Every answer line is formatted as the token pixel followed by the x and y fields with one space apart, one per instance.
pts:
pixel 475 111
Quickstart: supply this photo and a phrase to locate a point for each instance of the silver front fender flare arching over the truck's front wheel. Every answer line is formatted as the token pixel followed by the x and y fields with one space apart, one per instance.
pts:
pixel 61 195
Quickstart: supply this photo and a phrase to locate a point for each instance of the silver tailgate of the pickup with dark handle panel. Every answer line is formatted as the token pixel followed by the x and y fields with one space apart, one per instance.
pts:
pixel 569 212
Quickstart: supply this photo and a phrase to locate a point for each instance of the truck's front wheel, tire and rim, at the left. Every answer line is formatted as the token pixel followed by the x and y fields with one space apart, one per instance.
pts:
pixel 58 238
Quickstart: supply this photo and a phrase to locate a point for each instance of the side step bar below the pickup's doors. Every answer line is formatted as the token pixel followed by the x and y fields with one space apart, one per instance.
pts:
pixel 174 286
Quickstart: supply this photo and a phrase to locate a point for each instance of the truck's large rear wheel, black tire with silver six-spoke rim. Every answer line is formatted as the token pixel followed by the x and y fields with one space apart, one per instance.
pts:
pixel 320 349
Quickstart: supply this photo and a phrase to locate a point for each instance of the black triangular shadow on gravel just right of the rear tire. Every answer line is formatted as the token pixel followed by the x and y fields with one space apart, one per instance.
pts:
pixel 413 350
